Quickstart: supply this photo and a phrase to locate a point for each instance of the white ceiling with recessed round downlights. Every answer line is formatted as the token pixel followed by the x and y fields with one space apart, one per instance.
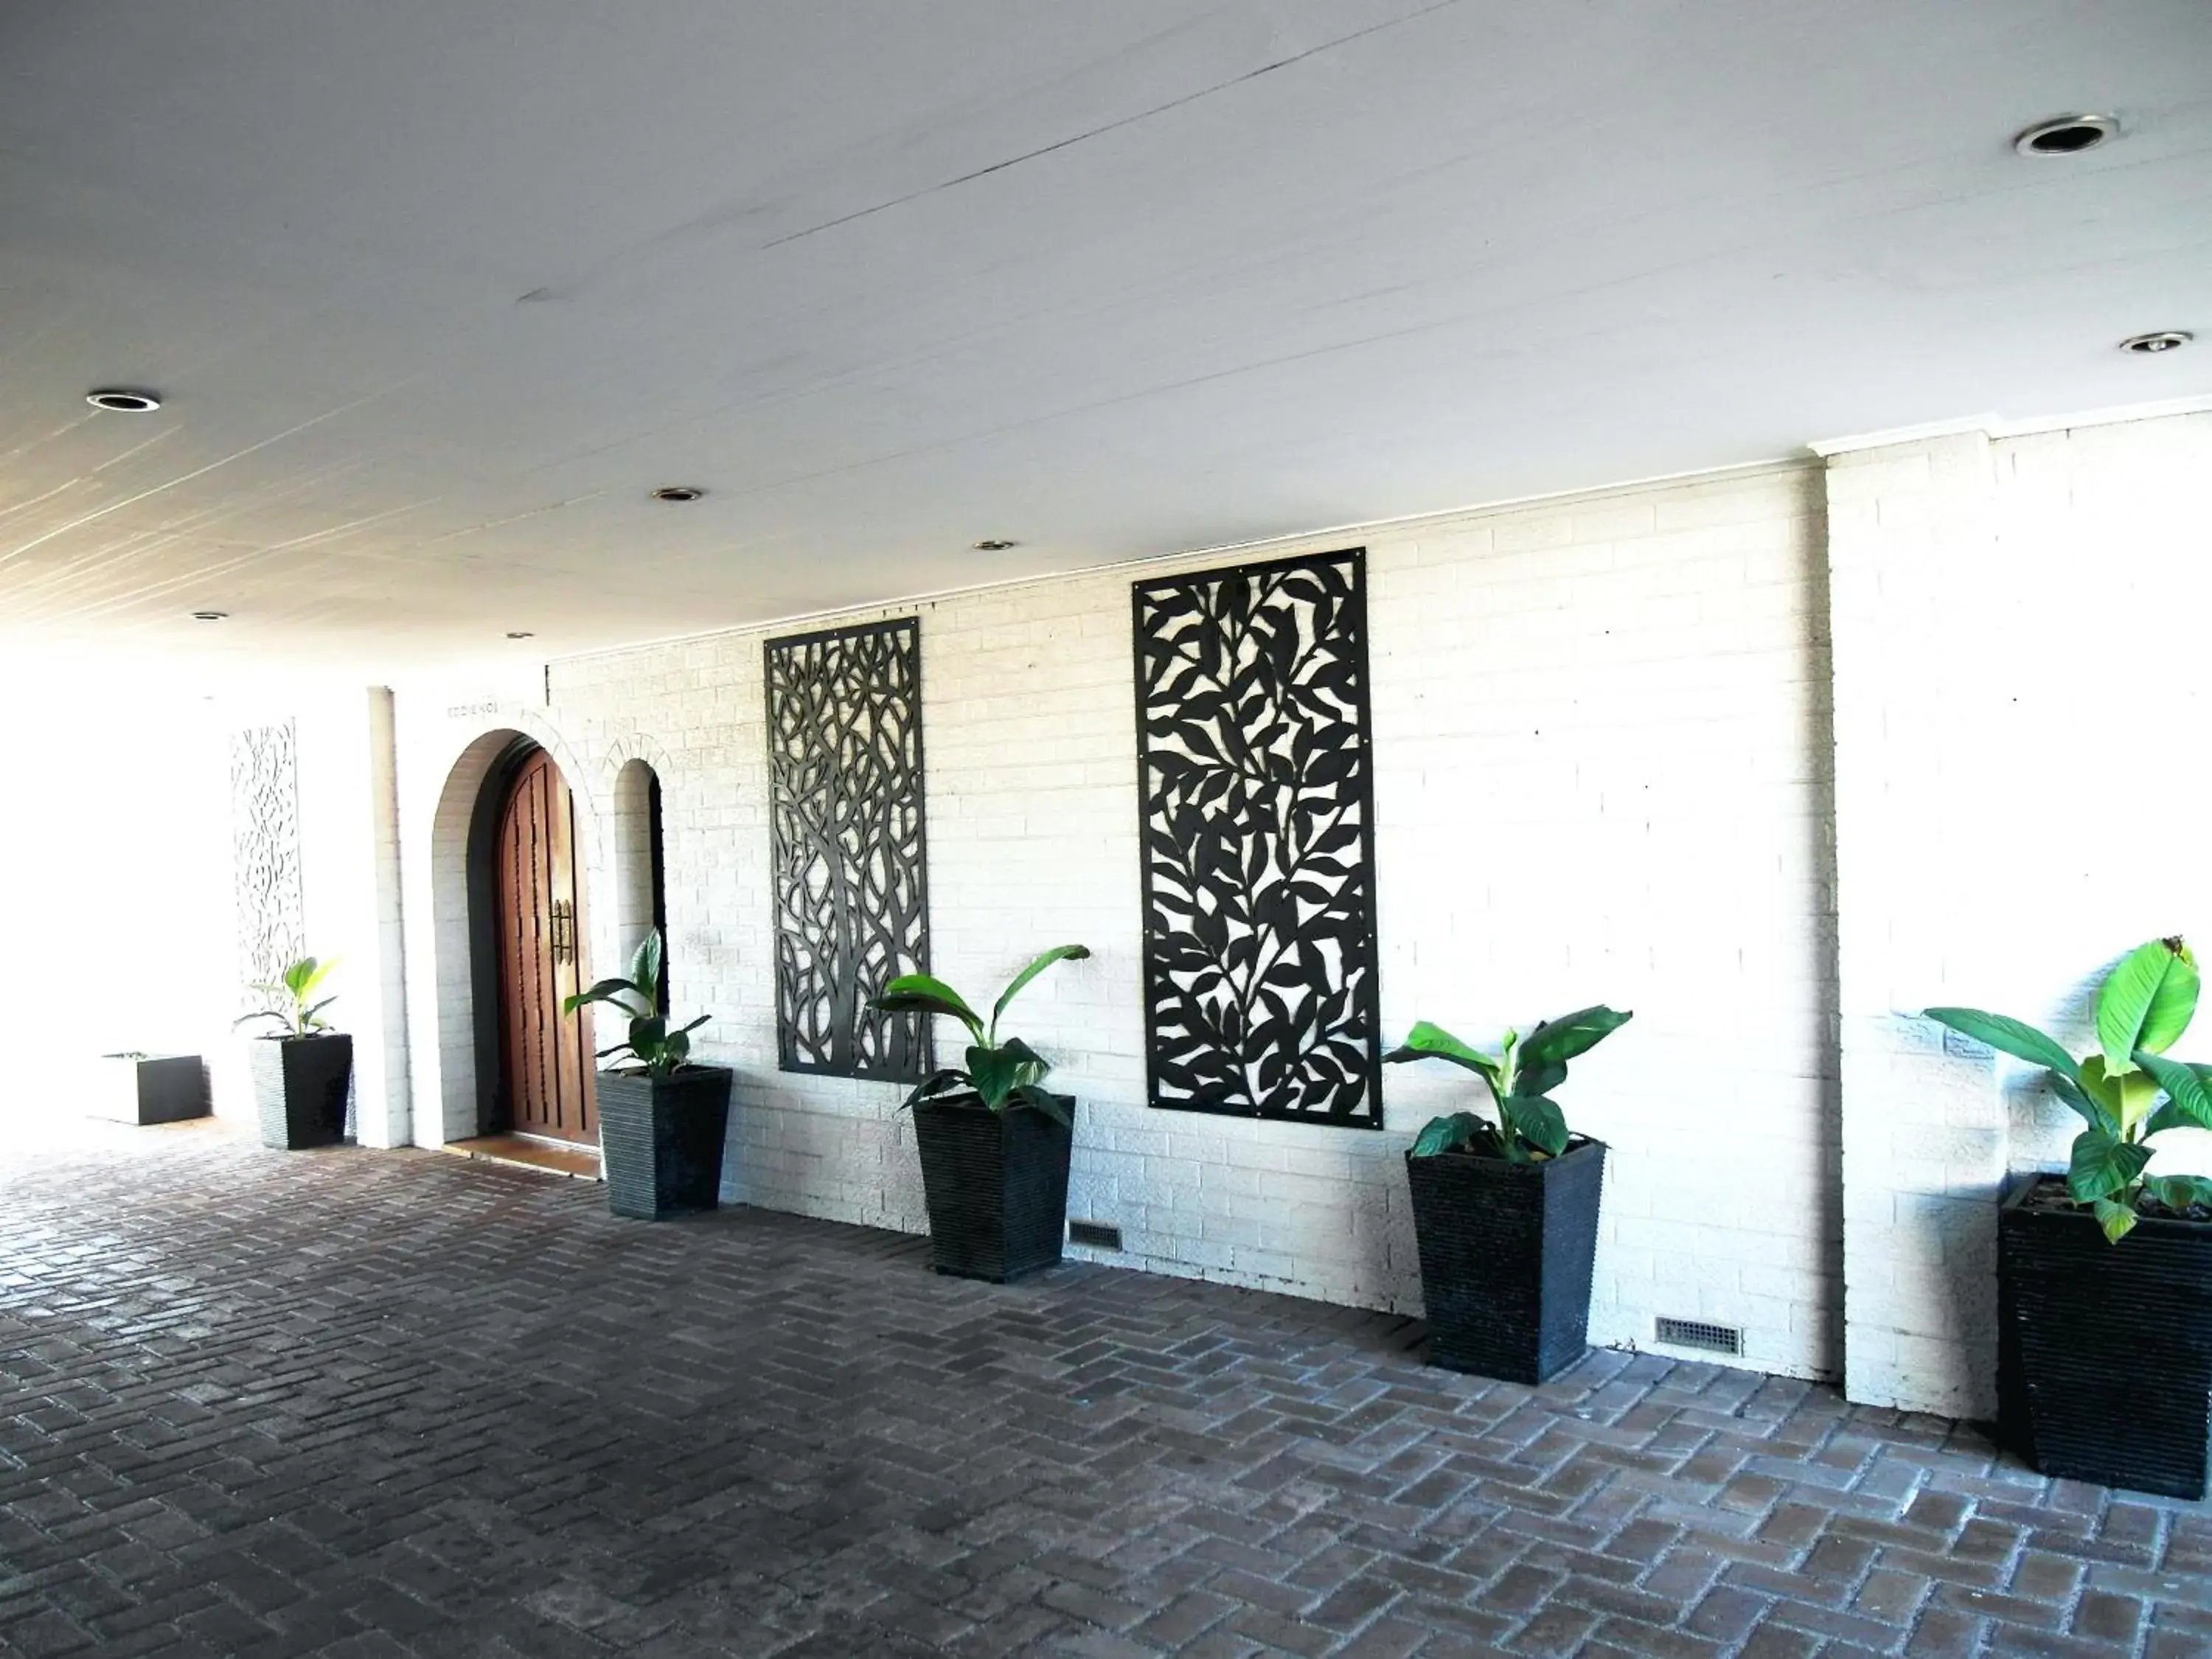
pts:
pixel 439 289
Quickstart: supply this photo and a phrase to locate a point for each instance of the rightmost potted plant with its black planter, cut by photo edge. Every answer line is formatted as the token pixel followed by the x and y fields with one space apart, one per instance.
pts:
pixel 2105 1275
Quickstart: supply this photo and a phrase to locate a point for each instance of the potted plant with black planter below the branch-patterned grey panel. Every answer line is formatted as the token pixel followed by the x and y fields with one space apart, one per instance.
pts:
pixel 994 1142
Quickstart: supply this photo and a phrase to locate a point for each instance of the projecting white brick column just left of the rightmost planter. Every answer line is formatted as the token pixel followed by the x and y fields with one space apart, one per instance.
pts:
pixel 1923 1134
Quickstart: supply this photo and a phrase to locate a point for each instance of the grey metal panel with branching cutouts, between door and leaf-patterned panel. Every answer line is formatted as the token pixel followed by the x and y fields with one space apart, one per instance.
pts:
pixel 846 831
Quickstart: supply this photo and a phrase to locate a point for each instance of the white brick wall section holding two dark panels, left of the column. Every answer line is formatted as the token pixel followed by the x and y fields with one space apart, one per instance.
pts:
pixel 1598 778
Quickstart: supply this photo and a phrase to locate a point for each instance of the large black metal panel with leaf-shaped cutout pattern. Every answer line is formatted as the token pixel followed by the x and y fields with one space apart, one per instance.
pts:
pixel 1258 820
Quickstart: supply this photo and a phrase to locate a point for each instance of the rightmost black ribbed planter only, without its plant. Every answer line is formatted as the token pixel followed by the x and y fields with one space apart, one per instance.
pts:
pixel 2107 1348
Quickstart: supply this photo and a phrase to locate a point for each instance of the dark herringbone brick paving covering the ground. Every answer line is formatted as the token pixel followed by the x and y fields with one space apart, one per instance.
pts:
pixel 395 1404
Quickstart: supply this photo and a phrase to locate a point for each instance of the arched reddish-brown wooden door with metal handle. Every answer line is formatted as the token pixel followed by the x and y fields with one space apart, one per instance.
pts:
pixel 545 1054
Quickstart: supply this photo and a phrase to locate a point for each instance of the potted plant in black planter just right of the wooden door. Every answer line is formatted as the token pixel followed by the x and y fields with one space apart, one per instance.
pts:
pixel 662 1123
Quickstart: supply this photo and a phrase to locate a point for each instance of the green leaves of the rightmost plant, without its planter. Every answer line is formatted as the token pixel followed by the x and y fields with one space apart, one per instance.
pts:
pixel 2142 1010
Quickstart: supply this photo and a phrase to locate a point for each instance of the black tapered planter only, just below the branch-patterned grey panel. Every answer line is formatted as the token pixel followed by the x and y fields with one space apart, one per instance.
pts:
pixel 997 1187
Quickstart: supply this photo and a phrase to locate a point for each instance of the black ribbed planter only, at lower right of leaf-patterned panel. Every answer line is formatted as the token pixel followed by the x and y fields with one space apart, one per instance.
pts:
pixel 1505 1260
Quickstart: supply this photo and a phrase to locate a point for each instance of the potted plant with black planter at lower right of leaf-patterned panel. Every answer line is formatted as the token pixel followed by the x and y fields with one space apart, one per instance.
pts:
pixel 1505 1213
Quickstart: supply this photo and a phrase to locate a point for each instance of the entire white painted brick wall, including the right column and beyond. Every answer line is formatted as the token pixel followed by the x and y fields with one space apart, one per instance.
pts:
pixel 1611 764
